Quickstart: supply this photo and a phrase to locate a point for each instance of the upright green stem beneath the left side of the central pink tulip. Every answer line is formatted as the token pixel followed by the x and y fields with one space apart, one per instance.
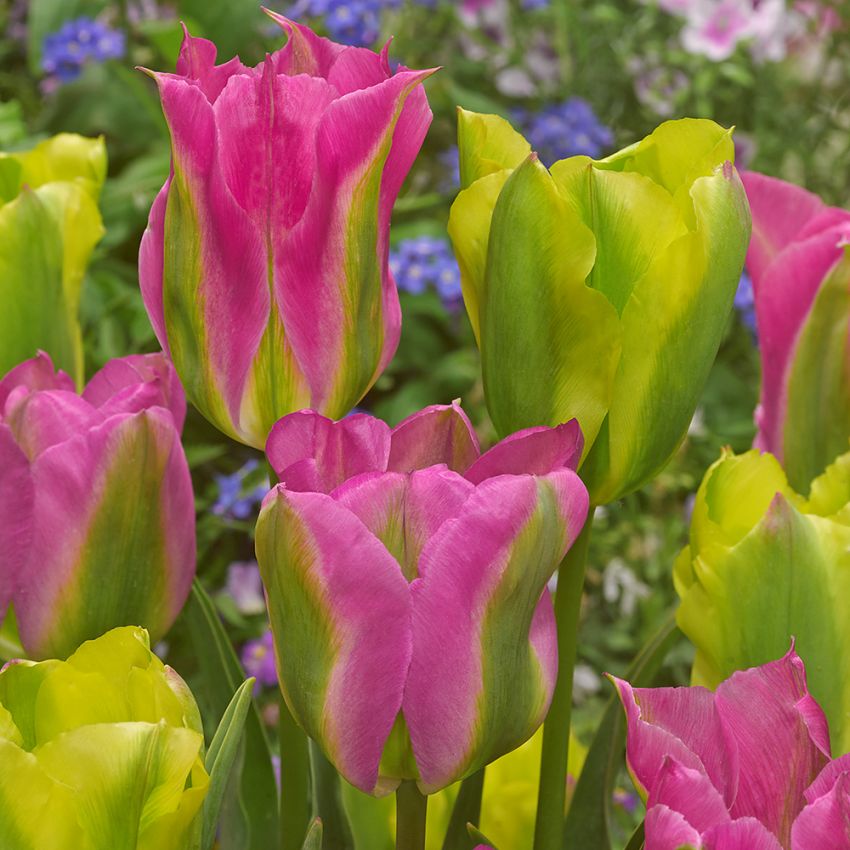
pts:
pixel 295 810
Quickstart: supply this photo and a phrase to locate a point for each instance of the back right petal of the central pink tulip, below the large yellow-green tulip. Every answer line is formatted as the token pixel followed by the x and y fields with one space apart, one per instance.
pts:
pixel 534 450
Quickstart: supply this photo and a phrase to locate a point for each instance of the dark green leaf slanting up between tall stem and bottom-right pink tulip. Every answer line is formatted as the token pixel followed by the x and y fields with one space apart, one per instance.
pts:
pixel 589 819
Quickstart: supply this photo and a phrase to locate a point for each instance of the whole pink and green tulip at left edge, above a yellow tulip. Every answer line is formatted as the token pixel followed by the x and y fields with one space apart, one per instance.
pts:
pixel 97 519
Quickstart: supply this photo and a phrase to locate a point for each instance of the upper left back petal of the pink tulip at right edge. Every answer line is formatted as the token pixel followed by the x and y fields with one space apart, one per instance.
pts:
pixel 780 211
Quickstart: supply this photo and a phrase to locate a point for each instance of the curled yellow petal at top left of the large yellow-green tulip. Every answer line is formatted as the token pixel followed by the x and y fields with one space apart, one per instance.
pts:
pixel 487 144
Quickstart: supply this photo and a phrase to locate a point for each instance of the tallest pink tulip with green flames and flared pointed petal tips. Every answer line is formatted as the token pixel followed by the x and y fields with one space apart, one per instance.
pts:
pixel 267 276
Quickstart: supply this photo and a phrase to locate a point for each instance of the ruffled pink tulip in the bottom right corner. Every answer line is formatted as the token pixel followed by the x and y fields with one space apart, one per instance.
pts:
pixel 747 767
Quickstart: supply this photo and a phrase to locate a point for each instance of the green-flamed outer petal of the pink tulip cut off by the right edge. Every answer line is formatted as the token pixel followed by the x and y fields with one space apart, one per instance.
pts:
pixel 817 421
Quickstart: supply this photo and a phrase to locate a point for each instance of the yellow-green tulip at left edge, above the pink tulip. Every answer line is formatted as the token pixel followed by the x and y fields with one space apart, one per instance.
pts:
pixel 49 224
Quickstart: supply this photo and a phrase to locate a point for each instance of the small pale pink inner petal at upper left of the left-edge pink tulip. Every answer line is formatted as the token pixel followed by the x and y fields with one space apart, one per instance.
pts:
pixel 42 419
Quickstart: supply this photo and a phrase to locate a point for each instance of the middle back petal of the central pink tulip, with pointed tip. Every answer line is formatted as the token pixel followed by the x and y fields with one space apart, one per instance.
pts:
pixel 438 434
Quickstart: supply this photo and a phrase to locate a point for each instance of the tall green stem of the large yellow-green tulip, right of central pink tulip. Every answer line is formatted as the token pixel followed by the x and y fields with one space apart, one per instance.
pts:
pixel 548 831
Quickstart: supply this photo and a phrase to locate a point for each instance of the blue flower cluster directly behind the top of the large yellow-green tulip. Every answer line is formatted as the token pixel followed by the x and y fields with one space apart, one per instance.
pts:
pixel 565 129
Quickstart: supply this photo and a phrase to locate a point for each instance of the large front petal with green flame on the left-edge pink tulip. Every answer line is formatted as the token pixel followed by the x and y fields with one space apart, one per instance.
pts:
pixel 85 489
